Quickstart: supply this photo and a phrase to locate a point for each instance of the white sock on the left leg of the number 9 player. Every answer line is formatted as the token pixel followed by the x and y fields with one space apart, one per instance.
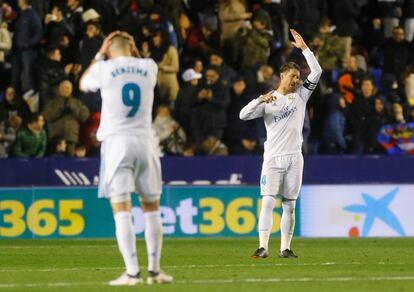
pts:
pixel 125 236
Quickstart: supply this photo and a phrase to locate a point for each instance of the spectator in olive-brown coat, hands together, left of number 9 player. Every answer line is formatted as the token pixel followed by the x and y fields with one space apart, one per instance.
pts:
pixel 64 114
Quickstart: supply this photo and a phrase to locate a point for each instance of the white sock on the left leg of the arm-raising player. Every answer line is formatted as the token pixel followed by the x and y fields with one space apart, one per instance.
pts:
pixel 266 220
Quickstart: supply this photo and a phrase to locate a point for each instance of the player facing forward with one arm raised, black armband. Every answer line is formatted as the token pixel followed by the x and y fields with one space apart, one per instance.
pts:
pixel 283 111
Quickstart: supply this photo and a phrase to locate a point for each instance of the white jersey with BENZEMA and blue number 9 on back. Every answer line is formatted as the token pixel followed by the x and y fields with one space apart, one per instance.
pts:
pixel 127 91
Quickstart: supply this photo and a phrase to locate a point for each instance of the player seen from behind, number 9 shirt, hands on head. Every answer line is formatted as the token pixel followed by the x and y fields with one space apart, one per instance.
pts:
pixel 129 160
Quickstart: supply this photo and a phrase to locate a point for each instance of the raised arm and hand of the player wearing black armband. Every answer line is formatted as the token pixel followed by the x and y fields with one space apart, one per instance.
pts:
pixel 316 71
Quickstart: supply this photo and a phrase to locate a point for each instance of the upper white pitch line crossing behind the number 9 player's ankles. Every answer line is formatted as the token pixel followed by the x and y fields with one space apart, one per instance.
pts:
pixel 11 270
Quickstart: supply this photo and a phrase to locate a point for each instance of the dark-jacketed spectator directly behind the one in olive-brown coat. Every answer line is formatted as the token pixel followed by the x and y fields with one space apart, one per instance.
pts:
pixel 51 72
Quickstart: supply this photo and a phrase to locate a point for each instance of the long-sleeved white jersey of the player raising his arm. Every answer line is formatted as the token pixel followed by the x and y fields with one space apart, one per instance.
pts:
pixel 284 116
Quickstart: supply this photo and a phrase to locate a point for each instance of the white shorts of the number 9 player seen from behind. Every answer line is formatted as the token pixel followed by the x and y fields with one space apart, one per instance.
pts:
pixel 130 164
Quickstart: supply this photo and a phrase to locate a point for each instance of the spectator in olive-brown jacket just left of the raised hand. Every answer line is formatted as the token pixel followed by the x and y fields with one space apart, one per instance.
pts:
pixel 256 43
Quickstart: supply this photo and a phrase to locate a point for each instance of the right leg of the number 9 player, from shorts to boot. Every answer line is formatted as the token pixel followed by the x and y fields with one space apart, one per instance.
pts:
pixel 148 185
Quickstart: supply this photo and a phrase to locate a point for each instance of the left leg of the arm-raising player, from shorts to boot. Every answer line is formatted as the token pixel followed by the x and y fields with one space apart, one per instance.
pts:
pixel 270 185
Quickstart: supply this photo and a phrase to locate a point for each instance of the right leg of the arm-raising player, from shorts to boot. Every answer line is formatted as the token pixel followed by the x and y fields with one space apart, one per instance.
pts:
pixel 292 184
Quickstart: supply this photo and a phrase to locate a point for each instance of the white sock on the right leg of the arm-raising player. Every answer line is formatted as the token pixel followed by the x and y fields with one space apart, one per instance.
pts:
pixel 287 224
